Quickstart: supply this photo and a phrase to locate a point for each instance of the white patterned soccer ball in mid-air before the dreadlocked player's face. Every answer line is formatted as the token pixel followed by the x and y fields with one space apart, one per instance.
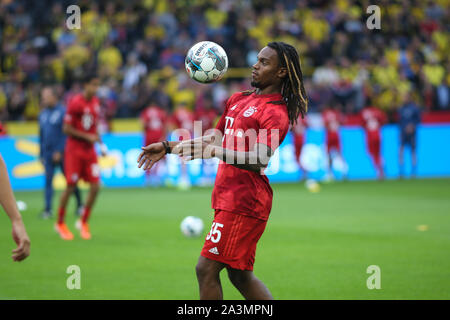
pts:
pixel 206 62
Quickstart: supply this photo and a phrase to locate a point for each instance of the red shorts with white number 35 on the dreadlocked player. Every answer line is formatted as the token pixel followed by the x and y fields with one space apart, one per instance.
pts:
pixel 232 239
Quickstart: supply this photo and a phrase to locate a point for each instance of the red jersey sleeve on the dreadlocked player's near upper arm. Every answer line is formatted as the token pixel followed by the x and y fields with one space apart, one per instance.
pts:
pixel 273 127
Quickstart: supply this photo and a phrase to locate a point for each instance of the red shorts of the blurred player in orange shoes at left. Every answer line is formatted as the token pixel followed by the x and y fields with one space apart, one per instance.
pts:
pixel 81 164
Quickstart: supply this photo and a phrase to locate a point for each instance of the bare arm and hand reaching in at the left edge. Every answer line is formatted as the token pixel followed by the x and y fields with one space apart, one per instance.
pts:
pixel 8 202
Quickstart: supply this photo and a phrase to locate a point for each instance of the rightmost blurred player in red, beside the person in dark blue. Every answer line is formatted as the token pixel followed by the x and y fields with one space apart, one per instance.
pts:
pixel 372 119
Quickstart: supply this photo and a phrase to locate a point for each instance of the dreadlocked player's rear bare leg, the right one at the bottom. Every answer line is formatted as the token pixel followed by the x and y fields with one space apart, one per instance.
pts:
pixel 249 285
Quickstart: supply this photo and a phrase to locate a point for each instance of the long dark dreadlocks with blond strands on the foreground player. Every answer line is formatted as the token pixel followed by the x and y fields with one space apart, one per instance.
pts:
pixel 292 89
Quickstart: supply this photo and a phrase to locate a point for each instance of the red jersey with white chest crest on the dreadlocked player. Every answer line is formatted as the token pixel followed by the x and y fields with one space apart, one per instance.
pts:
pixel 237 190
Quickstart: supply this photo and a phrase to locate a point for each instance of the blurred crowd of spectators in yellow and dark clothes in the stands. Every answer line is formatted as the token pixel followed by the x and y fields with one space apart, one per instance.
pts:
pixel 138 48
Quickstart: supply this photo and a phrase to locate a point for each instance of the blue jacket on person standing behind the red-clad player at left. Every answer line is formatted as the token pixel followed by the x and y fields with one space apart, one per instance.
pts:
pixel 52 138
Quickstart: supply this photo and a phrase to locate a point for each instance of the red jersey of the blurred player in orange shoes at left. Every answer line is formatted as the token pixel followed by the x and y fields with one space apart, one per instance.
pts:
pixel 82 115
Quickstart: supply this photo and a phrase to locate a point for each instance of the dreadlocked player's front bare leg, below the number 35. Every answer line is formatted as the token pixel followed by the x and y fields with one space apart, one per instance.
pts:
pixel 208 276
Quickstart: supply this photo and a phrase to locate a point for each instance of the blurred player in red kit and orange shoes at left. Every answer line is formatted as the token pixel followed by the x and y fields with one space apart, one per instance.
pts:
pixel 80 159
